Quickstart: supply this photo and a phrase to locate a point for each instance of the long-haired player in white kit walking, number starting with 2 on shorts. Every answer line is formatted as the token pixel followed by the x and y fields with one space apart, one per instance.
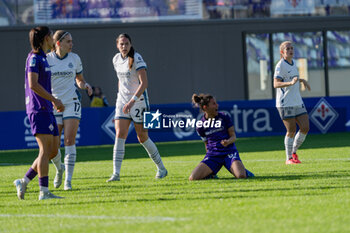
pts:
pixel 131 102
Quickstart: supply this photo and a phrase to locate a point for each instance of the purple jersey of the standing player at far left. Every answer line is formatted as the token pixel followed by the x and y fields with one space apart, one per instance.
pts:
pixel 37 63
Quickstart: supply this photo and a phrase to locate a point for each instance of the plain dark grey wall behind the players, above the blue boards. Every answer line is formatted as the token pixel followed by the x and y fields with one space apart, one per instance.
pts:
pixel 182 57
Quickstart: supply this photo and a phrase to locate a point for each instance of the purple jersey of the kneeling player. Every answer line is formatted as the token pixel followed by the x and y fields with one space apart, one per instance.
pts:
pixel 213 136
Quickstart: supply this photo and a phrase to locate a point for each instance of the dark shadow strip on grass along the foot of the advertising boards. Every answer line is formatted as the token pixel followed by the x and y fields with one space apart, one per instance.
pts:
pixel 133 151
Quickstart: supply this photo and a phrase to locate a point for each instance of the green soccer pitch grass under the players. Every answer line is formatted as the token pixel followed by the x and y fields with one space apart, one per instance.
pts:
pixel 310 197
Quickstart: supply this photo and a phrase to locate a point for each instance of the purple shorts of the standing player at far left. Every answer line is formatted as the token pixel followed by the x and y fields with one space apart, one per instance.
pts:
pixel 43 123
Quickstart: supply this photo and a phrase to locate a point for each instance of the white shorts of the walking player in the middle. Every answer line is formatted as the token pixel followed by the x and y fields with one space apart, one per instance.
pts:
pixel 136 111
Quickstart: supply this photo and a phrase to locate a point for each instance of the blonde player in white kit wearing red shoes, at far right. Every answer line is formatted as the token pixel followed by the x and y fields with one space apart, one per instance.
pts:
pixel 289 102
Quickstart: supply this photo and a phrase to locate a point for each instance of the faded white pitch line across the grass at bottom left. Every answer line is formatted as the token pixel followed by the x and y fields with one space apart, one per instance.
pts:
pixel 98 217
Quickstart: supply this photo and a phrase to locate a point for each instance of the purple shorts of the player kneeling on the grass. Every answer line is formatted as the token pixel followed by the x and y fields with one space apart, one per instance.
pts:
pixel 215 163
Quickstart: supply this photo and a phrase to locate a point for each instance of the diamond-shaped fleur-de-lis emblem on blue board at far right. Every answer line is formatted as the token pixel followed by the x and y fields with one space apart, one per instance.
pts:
pixel 323 115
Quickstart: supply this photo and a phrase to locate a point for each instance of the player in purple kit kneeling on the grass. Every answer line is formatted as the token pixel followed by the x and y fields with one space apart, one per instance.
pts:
pixel 219 139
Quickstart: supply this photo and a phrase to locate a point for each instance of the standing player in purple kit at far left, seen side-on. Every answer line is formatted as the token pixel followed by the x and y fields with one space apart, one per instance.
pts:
pixel 39 106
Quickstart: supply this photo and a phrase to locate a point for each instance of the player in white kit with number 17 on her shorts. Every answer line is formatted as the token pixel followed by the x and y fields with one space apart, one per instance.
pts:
pixel 66 76
